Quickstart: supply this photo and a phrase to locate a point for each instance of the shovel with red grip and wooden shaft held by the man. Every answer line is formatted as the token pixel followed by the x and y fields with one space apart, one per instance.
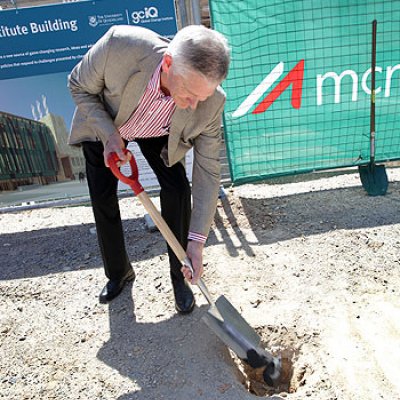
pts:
pixel 222 318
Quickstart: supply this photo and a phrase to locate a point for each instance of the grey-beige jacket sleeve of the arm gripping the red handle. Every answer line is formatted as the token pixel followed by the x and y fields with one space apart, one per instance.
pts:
pixel 86 84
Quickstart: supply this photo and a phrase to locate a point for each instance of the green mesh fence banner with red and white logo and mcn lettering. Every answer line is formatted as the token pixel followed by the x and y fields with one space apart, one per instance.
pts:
pixel 299 84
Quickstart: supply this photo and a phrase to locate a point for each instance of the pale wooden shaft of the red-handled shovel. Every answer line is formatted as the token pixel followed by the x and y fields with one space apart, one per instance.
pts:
pixel 171 239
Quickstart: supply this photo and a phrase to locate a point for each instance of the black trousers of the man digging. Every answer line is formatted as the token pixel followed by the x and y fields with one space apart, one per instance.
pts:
pixel 175 199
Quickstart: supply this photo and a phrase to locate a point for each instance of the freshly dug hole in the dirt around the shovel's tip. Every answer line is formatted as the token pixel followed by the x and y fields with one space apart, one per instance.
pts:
pixel 283 343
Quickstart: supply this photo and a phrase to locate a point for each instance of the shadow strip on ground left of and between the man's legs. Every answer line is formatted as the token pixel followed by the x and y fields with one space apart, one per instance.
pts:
pixel 68 248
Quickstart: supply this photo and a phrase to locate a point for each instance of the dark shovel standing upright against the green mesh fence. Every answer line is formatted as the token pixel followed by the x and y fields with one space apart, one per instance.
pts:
pixel 373 177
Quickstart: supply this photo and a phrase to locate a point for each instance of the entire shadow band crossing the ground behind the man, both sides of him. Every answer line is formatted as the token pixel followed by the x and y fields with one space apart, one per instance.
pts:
pixel 270 219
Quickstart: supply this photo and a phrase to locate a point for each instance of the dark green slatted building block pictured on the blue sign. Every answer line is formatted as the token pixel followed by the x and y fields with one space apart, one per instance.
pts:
pixel 27 153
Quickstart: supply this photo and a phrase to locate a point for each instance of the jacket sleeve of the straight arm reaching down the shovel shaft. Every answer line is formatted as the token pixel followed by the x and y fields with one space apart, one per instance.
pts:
pixel 206 174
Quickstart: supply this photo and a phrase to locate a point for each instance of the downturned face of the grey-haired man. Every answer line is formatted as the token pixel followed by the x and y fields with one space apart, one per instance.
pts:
pixel 187 90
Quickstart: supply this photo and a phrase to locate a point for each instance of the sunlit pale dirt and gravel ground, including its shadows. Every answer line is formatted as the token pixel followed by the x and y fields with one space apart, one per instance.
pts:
pixel 312 263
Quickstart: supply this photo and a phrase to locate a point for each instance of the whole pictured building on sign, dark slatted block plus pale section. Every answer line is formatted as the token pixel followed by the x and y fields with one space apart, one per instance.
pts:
pixel 23 144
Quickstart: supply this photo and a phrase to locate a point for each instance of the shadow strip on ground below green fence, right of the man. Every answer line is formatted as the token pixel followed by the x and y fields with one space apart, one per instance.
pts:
pixel 306 214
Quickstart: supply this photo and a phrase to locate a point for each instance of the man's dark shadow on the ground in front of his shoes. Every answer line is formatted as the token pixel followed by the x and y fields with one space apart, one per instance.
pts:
pixel 177 356
